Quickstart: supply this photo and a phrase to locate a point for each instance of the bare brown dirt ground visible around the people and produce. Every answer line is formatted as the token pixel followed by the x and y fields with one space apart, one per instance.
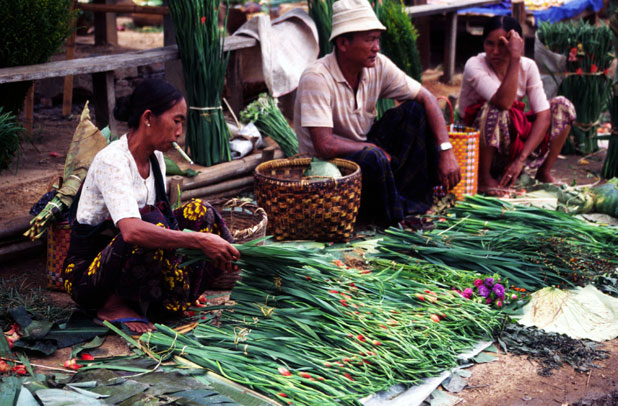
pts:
pixel 510 380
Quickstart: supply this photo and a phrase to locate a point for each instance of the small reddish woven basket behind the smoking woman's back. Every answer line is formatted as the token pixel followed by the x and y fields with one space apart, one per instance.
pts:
pixel 58 239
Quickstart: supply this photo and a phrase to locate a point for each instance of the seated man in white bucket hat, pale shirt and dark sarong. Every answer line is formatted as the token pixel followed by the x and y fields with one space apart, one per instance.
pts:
pixel 404 154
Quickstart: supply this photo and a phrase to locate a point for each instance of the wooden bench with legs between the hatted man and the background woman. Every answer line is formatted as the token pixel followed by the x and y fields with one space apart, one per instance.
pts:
pixel 450 10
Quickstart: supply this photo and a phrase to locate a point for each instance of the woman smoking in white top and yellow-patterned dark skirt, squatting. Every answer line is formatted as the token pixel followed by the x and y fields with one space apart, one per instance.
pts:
pixel 122 262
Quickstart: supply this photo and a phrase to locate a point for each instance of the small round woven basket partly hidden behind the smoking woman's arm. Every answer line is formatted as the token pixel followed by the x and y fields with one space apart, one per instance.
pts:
pixel 245 220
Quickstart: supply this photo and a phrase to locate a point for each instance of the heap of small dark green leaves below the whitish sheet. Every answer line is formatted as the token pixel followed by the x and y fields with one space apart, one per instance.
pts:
pixel 551 350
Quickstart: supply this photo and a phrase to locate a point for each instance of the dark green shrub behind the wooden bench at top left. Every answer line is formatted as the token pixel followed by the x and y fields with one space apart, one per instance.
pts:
pixel 30 32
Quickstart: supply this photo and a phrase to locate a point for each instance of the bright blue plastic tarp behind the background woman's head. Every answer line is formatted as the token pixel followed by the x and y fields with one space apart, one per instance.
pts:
pixel 552 14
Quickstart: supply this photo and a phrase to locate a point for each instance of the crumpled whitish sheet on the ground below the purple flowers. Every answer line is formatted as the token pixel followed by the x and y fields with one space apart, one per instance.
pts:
pixel 580 313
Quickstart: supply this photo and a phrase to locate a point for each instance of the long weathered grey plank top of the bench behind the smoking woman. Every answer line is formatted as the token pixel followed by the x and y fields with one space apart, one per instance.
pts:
pixel 105 63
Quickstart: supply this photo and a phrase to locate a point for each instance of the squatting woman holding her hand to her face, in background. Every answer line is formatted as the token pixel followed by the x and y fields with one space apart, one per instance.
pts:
pixel 494 84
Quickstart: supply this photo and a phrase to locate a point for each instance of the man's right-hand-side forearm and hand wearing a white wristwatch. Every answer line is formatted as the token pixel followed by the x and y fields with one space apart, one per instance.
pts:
pixel 449 174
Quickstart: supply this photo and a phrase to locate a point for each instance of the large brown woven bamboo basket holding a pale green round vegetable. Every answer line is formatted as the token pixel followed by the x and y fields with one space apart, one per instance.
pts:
pixel 301 208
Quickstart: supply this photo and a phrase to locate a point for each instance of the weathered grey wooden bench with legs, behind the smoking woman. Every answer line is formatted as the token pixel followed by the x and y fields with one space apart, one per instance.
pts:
pixel 102 69
